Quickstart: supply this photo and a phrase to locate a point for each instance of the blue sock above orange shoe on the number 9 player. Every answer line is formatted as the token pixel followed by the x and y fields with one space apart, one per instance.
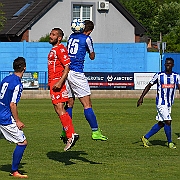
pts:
pixel 17 156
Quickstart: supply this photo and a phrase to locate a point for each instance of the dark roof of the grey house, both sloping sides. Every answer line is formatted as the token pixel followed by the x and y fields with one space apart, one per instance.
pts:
pixel 17 22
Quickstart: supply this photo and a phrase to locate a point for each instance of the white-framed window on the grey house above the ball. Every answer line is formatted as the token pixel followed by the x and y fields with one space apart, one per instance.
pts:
pixel 84 11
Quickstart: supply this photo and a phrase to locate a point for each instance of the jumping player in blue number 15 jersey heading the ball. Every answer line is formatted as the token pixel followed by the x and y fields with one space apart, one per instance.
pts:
pixel 78 45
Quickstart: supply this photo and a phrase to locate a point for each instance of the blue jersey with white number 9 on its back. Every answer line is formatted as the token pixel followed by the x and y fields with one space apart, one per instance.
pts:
pixel 10 91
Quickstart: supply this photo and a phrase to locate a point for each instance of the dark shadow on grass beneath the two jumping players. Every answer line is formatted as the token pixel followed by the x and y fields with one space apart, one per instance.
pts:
pixel 65 157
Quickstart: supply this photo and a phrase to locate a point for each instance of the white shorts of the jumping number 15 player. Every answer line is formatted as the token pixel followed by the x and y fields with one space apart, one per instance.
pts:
pixel 78 85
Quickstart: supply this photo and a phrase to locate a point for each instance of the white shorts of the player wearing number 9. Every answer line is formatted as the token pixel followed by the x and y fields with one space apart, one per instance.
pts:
pixel 12 133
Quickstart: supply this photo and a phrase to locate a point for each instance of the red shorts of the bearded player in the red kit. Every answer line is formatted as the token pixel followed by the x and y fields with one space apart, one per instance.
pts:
pixel 60 95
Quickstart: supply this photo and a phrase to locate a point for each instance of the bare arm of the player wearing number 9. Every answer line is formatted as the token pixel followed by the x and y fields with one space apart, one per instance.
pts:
pixel 14 111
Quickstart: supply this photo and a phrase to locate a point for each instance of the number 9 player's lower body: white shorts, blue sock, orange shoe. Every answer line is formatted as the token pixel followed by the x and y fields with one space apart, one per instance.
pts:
pixel 13 134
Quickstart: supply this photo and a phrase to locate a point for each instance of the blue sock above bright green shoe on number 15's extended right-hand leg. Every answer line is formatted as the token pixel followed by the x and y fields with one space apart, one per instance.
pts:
pixel 91 118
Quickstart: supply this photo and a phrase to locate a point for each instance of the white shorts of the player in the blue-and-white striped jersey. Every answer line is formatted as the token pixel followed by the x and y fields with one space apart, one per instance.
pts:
pixel 164 113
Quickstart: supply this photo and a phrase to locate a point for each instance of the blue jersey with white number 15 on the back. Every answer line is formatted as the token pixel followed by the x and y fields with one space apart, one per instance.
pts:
pixel 78 45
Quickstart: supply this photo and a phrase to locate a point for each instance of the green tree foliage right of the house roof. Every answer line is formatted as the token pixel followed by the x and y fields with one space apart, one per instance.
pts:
pixel 158 16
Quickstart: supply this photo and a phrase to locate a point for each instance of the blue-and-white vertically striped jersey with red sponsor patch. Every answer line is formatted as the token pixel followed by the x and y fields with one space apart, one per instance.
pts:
pixel 166 87
